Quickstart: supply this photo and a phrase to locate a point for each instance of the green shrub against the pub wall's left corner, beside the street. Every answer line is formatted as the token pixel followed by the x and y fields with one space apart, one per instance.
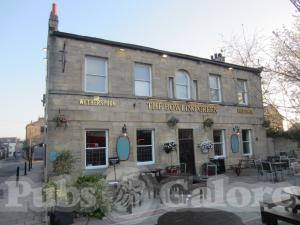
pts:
pixel 63 163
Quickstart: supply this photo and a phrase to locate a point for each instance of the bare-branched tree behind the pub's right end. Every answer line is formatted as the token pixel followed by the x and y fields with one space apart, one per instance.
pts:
pixel 280 58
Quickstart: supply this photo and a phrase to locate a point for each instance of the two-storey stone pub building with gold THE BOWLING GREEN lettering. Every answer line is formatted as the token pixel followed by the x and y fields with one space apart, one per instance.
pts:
pixel 94 87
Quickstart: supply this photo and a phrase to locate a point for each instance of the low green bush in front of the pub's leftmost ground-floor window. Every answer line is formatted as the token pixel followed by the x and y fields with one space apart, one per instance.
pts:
pixel 93 190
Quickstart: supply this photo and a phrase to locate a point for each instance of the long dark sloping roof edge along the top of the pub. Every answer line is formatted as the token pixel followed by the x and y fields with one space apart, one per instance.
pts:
pixel 153 50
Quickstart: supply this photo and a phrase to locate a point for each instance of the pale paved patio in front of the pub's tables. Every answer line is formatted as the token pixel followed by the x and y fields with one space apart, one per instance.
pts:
pixel 225 197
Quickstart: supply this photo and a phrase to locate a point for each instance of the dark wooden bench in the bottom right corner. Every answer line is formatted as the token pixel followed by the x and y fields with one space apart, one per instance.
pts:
pixel 270 216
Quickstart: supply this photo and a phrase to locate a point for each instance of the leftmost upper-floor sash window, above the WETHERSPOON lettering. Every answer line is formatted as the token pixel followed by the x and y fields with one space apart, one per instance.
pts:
pixel 95 74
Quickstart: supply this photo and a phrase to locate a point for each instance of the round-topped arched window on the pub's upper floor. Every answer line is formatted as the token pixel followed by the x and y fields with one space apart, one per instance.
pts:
pixel 182 82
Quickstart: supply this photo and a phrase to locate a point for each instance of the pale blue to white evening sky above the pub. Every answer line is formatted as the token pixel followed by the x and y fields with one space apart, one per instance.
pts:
pixel 193 27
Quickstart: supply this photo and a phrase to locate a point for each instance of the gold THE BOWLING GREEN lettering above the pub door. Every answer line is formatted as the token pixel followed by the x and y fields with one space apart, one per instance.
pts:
pixel 181 107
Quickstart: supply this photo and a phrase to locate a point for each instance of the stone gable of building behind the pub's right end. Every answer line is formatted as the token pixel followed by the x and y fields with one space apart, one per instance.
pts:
pixel 273 117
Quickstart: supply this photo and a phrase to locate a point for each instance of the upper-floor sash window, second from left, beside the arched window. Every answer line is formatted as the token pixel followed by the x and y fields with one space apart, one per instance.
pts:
pixel 142 77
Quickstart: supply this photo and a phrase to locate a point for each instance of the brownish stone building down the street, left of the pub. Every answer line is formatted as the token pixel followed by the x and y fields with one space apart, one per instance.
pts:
pixel 35 137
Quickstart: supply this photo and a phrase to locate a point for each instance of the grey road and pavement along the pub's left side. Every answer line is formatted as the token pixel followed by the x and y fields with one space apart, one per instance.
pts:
pixel 18 202
